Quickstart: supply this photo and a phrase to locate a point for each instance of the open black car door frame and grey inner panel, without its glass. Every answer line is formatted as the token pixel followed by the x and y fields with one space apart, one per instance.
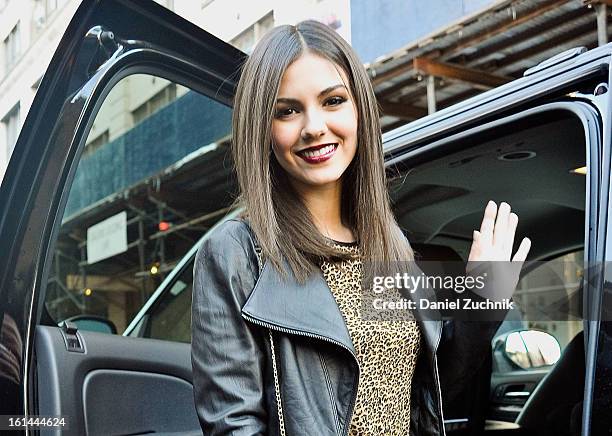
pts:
pixel 101 384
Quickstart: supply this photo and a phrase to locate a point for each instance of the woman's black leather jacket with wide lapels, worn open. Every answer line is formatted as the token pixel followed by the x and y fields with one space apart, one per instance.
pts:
pixel 233 308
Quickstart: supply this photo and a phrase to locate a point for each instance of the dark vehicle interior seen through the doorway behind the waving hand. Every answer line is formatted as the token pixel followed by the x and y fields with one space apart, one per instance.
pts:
pixel 439 200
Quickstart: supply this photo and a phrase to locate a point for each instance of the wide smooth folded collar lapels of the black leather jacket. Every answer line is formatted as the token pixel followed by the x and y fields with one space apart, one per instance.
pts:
pixel 311 309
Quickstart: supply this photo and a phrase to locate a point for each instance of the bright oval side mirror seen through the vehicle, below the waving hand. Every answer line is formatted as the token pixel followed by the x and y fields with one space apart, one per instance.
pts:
pixel 532 348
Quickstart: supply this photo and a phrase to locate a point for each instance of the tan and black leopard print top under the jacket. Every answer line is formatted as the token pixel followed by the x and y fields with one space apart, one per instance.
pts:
pixel 387 352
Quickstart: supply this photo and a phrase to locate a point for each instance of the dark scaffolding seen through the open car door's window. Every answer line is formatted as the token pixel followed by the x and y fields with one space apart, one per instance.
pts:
pixel 164 220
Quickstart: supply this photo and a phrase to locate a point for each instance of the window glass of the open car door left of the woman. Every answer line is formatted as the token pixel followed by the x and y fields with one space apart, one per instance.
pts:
pixel 135 207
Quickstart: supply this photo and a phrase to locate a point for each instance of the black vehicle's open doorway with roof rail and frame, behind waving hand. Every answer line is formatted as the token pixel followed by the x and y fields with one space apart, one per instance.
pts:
pixel 525 143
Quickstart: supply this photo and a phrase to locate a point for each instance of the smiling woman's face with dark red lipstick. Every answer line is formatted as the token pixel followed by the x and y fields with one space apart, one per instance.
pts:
pixel 315 123
